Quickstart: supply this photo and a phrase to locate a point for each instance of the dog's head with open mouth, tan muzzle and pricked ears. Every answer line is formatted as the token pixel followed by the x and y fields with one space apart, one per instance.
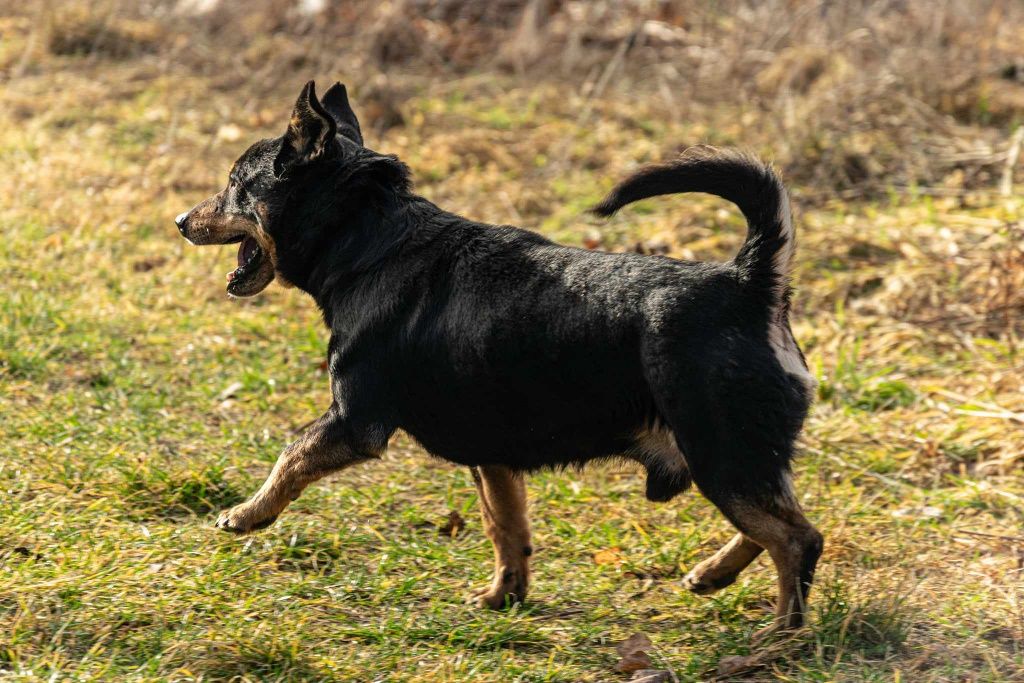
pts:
pixel 247 211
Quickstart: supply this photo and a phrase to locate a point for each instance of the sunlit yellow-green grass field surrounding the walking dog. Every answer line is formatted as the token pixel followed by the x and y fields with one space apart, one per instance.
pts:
pixel 137 400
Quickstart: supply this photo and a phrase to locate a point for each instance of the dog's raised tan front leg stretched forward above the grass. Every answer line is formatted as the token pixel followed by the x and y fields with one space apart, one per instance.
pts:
pixel 327 446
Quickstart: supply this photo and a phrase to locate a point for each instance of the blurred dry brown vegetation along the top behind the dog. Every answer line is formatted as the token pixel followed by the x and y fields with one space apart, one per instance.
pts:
pixel 859 98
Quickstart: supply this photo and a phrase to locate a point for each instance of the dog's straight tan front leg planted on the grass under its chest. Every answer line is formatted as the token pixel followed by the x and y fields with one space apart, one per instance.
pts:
pixel 503 504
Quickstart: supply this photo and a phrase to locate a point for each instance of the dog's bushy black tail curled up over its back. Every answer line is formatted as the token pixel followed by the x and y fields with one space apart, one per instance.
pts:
pixel 766 255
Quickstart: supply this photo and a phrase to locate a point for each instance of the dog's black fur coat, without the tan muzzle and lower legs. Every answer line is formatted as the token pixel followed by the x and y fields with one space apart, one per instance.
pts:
pixel 493 346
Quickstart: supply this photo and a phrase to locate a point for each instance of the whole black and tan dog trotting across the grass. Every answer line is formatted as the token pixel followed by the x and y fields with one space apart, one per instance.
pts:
pixel 501 351
